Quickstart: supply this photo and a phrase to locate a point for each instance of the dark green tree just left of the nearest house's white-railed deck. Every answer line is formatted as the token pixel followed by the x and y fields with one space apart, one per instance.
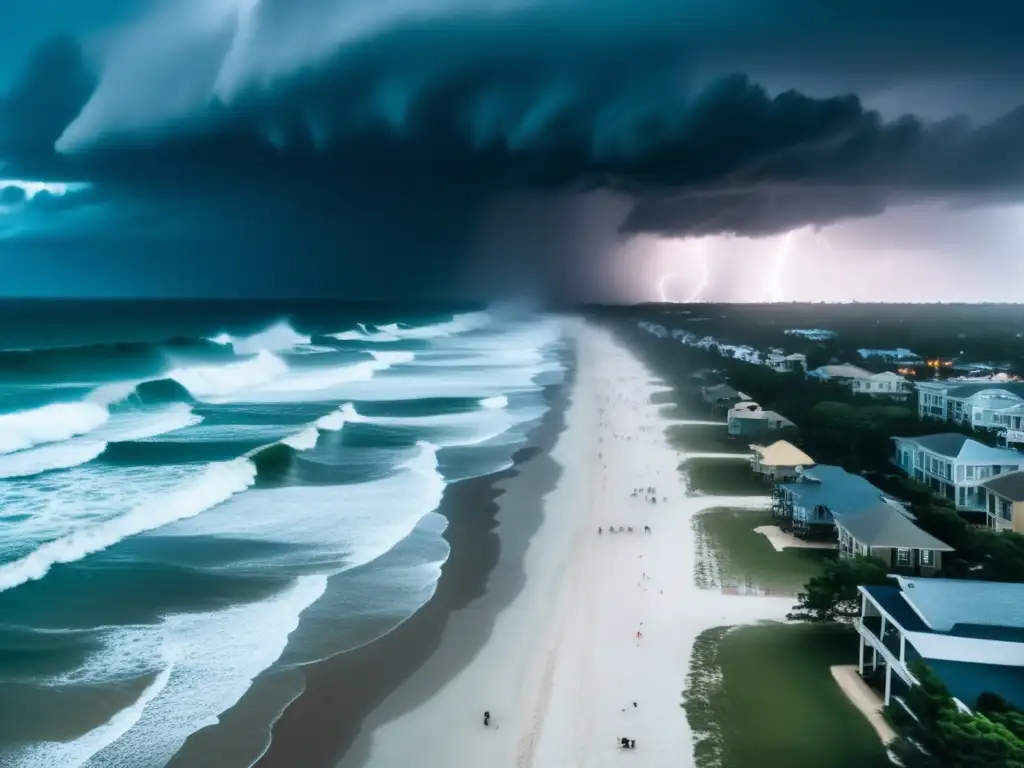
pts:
pixel 834 595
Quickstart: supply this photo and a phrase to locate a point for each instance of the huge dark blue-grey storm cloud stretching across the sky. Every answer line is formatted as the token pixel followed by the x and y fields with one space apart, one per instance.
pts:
pixel 367 130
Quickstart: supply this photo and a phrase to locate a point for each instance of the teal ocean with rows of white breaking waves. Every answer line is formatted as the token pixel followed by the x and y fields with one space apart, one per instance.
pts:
pixel 197 494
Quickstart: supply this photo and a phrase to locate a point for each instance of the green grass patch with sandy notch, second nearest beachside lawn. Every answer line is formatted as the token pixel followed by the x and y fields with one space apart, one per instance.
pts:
pixel 745 558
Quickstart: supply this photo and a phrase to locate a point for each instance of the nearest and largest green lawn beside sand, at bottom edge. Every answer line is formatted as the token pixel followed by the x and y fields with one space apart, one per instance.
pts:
pixel 763 697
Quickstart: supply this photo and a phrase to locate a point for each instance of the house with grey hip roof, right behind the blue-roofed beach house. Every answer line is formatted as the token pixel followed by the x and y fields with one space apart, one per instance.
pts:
pixel 886 531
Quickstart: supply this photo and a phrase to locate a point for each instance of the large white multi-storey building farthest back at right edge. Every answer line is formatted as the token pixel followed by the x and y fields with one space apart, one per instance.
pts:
pixel 980 404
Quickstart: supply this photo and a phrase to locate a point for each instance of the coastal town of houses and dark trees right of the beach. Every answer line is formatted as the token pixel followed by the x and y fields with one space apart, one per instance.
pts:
pixel 903 475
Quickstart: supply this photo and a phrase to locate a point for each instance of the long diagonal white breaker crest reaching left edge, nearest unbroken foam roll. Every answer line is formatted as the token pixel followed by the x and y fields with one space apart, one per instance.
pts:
pixel 218 484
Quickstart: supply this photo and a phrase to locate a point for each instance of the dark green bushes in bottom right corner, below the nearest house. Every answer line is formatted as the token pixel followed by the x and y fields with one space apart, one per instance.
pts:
pixel 941 735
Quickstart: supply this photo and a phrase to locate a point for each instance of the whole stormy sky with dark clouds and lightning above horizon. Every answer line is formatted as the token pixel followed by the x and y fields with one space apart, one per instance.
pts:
pixel 578 150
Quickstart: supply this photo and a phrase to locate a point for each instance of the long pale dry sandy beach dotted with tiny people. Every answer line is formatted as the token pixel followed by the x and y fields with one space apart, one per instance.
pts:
pixel 565 673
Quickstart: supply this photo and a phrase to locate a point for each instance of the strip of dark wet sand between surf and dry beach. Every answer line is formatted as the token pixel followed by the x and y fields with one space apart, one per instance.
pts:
pixel 344 697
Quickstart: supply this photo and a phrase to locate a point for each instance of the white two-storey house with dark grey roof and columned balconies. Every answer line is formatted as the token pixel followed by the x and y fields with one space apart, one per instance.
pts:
pixel 956 466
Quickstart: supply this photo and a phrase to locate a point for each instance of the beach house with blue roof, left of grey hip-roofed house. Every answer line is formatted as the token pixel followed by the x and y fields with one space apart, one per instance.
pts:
pixel 808 505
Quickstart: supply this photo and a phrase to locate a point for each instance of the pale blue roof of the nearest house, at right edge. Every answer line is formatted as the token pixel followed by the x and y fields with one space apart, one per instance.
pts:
pixel 946 604
